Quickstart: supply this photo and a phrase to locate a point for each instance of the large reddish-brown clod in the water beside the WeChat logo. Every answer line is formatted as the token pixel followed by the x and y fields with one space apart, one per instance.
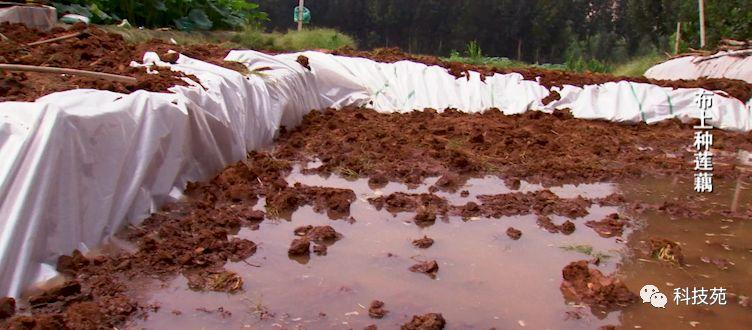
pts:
pixel 583 284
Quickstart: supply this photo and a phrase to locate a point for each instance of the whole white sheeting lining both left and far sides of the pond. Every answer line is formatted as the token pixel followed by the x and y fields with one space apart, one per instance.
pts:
pixel 78 165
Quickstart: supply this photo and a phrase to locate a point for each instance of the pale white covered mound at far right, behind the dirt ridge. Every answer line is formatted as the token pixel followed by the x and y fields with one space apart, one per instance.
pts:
pixel 722 65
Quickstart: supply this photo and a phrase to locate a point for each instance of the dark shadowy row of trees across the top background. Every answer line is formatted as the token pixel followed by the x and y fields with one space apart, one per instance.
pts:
pixel 539 31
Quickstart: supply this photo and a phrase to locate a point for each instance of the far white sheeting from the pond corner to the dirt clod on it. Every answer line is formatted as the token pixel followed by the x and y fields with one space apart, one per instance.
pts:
pixel 404 86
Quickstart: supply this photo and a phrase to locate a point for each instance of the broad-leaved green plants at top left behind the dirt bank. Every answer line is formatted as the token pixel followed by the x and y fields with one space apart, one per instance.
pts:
pixel 187 15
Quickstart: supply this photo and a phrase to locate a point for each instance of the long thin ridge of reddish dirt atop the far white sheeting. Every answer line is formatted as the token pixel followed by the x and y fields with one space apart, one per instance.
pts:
pixel 552 78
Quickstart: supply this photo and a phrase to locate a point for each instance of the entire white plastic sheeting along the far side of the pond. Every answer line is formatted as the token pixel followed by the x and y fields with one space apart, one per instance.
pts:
pixel 404 86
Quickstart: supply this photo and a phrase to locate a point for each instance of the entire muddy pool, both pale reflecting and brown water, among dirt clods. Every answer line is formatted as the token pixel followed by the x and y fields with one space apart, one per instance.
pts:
pixel 485 278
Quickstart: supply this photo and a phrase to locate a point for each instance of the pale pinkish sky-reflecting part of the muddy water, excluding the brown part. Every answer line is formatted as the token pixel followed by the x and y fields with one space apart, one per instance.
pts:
pixel 485 279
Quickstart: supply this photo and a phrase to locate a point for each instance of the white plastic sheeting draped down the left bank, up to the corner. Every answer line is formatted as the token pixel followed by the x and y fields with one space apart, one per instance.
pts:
pixel 80 164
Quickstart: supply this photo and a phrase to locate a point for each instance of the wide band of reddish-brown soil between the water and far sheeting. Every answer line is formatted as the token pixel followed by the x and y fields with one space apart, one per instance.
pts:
pixel 536 147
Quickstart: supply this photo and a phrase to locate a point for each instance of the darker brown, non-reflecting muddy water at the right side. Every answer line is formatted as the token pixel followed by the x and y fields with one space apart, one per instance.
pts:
pixel 706 237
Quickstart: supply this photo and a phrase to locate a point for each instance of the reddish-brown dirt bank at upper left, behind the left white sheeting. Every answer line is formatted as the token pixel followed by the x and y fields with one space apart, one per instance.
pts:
pixel 92 50
